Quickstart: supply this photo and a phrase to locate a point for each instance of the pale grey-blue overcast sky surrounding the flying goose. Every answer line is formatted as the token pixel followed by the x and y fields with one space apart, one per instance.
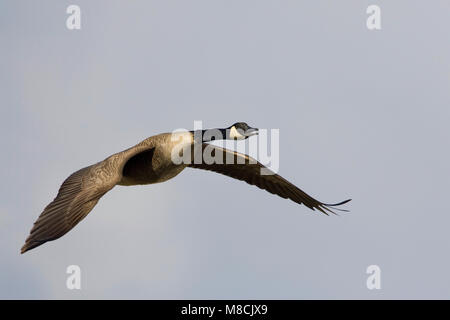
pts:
pixel 362 114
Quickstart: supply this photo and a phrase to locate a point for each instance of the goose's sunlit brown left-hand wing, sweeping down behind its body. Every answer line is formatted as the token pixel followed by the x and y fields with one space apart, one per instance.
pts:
pixel 76 197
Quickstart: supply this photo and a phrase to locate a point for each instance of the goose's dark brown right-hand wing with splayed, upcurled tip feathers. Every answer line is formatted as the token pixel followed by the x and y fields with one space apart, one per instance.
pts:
pixel 242 167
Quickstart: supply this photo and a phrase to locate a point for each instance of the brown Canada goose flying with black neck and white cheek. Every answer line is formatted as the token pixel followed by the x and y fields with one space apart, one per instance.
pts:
pixel 151 161
